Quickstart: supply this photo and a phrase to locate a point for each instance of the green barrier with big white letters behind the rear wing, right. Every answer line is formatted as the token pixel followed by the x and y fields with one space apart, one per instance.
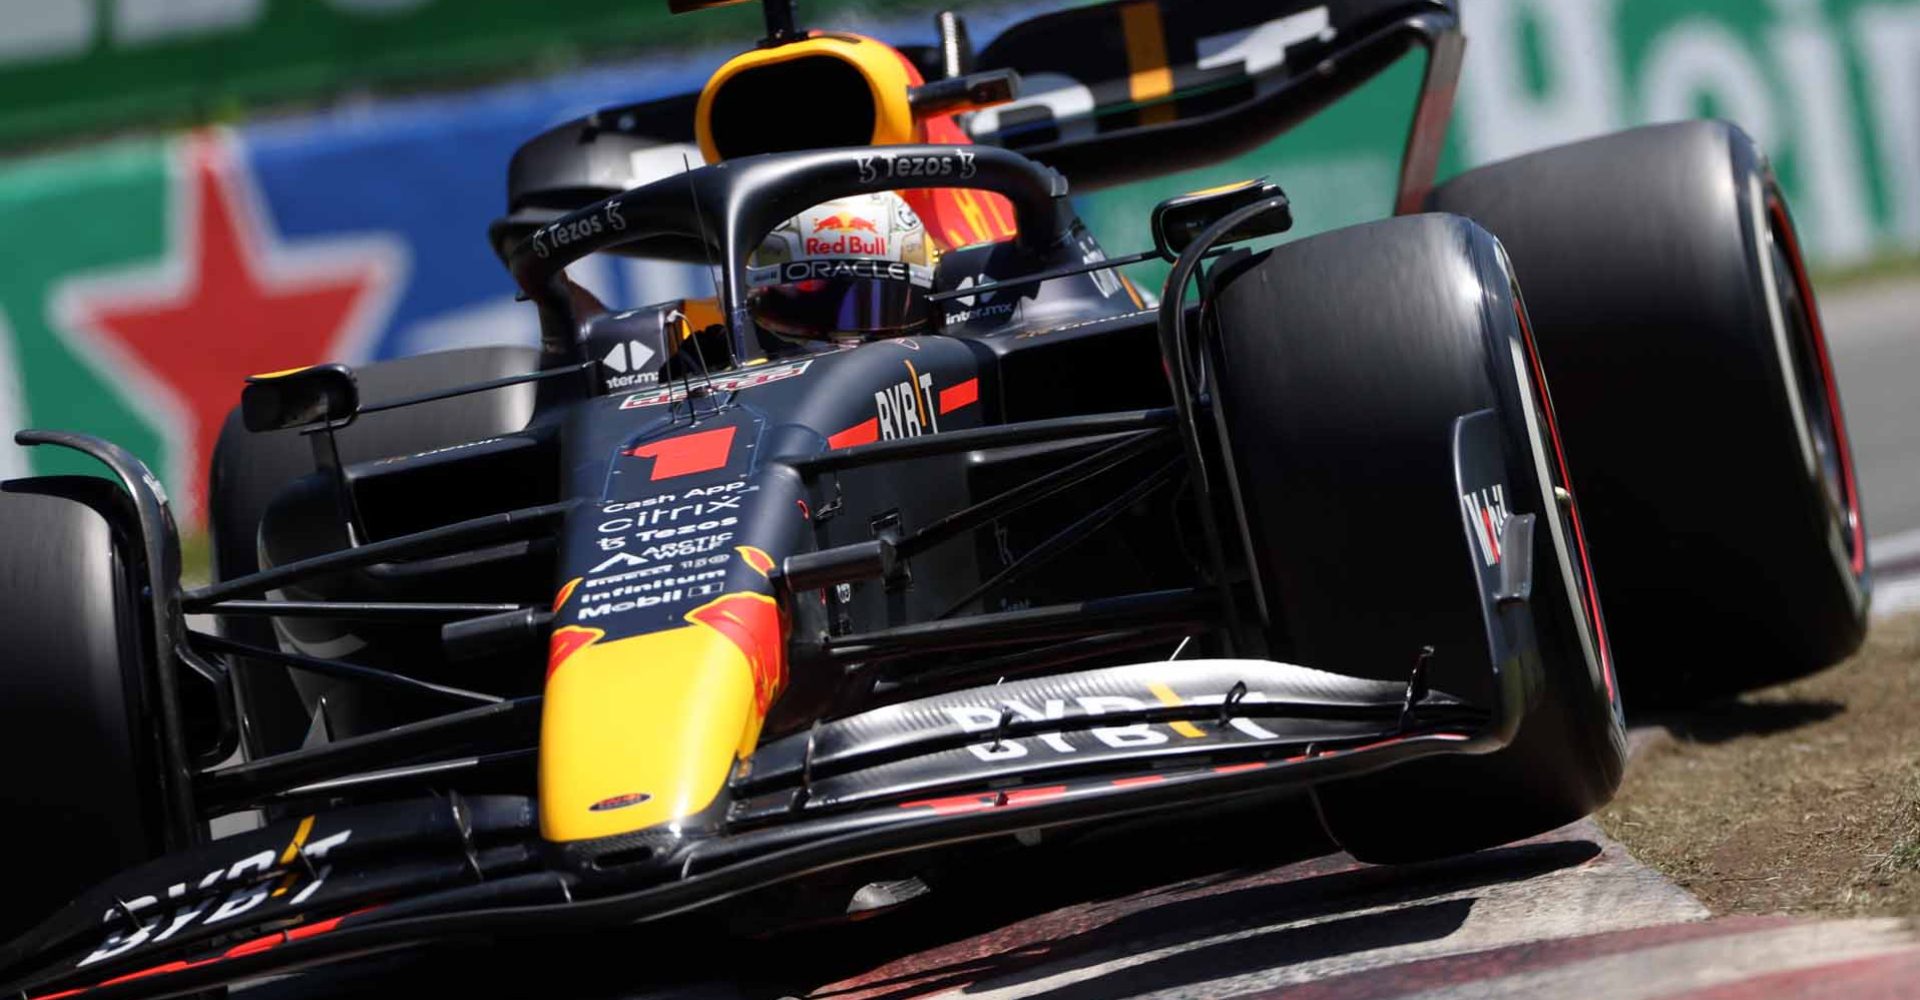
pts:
pixel 1829 87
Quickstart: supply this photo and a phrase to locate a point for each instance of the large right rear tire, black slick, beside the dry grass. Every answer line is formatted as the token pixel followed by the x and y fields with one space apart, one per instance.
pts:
pixel 1700 410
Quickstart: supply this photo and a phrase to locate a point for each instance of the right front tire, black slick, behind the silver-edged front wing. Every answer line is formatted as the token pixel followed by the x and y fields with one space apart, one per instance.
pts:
pixel 1343 366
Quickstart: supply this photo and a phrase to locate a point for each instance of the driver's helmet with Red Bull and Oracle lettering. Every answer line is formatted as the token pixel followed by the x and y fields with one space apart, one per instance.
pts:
pixel 846 270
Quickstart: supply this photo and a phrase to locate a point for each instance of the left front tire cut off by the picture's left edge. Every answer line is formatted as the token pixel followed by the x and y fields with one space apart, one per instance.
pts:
pixel 80 790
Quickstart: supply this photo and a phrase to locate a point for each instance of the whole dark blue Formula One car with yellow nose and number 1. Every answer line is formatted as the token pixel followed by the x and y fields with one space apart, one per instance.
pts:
pixel 934 529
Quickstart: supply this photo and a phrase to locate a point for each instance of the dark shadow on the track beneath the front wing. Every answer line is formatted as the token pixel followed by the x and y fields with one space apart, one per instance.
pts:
pixel 1216 895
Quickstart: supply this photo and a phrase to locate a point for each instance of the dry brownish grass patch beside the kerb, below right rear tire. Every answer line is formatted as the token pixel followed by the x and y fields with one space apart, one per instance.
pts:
pixel 1800 799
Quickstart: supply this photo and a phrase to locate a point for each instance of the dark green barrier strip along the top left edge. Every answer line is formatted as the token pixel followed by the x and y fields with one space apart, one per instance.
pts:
pixel 89 66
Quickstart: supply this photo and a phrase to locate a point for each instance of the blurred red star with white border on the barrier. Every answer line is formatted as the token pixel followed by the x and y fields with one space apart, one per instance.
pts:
pixel 233 304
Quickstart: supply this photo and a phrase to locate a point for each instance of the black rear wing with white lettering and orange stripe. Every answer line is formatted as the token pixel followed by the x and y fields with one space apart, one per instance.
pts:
pixel 1113 93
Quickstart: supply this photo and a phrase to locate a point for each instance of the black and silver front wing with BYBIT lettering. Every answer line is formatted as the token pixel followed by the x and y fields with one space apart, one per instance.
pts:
pixel 919 774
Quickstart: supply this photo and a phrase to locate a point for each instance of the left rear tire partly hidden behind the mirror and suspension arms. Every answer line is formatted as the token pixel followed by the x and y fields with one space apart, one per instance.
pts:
pixel 252 469
